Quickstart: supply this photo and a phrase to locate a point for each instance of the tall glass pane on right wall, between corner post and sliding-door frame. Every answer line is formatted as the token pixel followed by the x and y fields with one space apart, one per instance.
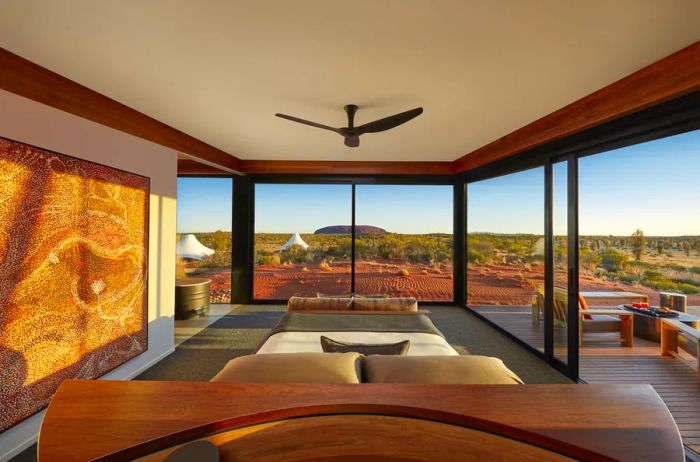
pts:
pixel 505 252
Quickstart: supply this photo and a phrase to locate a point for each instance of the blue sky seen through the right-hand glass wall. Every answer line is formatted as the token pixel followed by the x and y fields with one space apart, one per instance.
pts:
pixel 653 186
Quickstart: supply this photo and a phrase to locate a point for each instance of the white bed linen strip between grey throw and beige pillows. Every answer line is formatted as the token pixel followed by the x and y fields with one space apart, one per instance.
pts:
pixel 422 344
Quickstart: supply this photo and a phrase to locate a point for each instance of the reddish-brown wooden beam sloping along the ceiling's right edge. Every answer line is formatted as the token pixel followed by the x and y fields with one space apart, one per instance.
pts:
pixel 671 77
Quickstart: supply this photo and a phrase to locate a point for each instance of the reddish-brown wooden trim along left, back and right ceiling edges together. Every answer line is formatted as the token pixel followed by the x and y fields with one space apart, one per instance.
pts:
pixel 671 77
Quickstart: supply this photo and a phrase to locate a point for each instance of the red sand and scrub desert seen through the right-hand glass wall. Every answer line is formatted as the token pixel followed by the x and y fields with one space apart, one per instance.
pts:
pixel 506 269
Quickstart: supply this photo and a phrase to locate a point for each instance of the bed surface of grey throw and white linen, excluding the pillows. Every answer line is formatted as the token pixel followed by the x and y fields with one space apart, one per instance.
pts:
pixel 299 332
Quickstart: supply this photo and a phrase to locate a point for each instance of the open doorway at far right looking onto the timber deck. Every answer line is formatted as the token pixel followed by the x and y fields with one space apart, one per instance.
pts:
pixel 639 236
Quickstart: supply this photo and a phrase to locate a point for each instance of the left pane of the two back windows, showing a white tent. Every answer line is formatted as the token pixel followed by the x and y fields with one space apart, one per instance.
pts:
pixel 303 240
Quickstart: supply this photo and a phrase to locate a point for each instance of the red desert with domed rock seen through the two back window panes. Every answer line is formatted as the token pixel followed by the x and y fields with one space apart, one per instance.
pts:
pixel 417 265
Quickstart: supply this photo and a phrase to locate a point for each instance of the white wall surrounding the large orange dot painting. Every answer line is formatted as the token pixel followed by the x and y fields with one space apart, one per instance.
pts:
pixel 33 123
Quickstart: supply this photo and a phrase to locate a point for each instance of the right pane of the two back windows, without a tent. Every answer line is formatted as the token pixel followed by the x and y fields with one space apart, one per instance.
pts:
pixel 404 241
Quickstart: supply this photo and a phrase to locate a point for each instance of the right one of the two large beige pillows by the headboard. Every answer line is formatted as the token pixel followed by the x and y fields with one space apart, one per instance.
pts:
pixel 467 369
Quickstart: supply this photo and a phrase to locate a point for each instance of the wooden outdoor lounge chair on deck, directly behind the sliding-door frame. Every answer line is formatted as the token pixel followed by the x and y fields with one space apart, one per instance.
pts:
pixel 597 320
